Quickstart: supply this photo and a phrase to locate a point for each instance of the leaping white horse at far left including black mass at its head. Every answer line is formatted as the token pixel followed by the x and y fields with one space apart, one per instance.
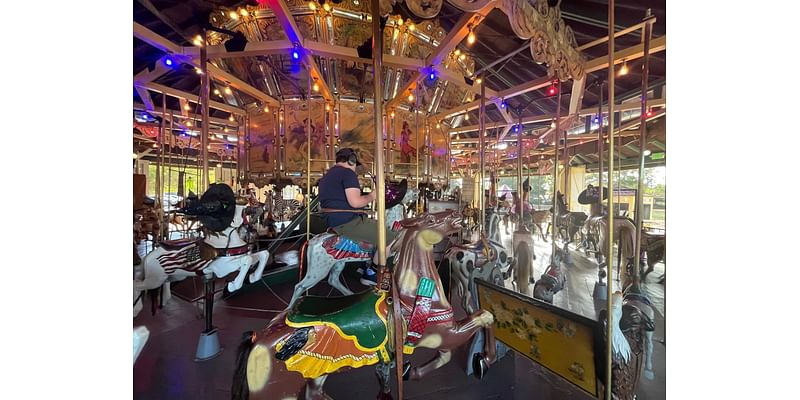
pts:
pixel 221 252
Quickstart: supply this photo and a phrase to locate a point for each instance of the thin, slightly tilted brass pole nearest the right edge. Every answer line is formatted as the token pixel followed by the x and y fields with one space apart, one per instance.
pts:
pixel 642 147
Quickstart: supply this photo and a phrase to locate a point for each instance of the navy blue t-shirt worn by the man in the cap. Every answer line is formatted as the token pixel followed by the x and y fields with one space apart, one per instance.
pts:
pixel 332 194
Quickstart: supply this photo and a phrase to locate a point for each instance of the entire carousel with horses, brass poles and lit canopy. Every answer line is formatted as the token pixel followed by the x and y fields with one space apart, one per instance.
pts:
pixel 399 199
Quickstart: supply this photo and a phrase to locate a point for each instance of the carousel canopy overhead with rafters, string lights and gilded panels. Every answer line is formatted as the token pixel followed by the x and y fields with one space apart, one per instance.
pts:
pixel 268 53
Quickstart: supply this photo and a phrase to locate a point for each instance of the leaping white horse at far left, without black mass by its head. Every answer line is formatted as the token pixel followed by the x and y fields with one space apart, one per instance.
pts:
pixel 219 253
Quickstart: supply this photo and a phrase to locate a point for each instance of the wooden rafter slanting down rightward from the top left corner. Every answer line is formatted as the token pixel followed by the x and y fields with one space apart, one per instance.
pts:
pixel 165 45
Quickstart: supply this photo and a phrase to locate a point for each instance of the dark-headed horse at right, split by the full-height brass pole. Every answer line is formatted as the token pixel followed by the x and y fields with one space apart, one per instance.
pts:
pixel 597 225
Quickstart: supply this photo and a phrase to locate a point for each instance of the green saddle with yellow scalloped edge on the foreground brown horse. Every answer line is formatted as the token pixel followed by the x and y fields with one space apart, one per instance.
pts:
pixel 355 317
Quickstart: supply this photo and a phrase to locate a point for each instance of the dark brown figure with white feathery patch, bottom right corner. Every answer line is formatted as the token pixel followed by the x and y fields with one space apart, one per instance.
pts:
pixel 631 348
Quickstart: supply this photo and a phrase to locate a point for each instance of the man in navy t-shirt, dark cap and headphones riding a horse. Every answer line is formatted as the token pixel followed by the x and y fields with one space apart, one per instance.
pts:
pixel 342 204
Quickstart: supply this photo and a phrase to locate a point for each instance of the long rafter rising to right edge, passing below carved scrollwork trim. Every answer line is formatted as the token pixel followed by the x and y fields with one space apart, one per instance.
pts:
pixel 596 64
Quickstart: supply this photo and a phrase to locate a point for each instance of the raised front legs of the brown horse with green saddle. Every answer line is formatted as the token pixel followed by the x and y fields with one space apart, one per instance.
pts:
pixel 446 337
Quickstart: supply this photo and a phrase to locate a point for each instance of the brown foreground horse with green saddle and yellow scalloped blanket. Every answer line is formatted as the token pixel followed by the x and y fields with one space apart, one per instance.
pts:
pixel 320 336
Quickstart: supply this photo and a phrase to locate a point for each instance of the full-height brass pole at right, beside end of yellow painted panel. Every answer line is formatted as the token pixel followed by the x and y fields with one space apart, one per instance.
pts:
pixel 609 261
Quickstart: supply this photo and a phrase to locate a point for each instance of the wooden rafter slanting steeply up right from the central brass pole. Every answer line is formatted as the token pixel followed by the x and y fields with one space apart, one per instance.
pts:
pixel 460 30
